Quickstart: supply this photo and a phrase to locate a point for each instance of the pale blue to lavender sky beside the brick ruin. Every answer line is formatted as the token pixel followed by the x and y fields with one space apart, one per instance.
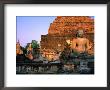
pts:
pixel 32 27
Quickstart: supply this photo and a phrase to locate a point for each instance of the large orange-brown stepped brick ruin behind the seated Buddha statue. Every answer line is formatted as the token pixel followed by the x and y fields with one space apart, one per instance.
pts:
pixel 64 28
